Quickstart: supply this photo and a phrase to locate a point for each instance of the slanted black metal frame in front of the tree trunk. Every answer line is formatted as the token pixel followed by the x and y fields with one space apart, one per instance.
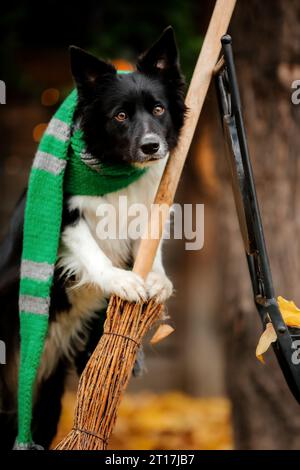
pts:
pixel 250 219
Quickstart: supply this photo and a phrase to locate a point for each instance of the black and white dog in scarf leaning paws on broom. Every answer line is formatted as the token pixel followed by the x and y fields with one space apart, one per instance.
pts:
pixel 134 118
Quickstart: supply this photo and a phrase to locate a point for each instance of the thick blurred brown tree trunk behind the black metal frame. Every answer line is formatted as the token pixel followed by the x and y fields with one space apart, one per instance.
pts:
pixel 266 41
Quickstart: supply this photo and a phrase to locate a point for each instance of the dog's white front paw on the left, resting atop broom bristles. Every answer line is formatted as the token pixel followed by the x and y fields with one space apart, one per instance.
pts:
pixel 125 284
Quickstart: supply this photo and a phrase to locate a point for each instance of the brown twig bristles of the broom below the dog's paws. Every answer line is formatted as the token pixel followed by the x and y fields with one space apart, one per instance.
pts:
pixel 107 373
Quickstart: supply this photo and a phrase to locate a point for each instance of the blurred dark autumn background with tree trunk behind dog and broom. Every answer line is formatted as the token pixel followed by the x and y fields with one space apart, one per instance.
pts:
pixel 204 388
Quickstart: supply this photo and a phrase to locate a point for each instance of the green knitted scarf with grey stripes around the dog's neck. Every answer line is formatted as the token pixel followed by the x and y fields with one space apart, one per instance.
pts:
pixel 61 165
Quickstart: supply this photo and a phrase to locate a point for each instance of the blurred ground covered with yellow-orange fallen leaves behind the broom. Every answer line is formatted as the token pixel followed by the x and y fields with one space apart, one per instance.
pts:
pixel 167 421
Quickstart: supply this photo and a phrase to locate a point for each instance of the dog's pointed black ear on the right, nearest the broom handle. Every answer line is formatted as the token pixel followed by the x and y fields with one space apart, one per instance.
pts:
pixel 162 56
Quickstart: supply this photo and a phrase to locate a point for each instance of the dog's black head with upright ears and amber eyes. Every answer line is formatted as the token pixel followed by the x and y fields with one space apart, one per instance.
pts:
pixel 136 117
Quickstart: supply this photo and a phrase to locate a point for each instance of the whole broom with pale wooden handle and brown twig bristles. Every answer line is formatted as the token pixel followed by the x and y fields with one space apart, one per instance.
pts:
pixel 109 369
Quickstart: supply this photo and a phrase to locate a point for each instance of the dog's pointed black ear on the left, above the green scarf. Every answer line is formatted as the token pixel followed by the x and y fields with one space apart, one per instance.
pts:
pixel 87 69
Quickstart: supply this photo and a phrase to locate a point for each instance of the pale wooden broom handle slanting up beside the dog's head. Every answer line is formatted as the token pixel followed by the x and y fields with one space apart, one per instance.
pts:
pixel 194 101
